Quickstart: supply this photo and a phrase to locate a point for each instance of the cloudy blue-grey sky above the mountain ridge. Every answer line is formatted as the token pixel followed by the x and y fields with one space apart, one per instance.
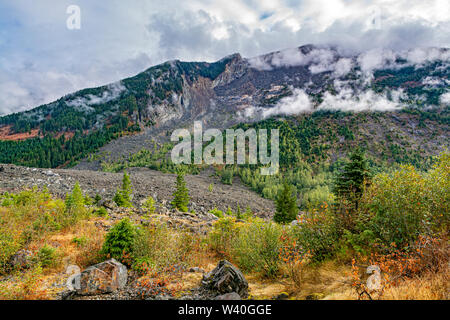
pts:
pixel 41 59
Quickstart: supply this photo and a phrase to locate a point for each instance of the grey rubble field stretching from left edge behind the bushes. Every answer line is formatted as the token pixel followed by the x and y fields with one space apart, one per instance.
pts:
pixel 145 183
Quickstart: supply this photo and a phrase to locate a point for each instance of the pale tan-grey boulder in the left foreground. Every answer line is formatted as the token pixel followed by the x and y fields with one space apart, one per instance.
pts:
pixel 105 277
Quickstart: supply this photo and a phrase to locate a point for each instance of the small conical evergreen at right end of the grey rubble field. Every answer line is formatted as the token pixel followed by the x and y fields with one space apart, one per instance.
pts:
pixel 286 204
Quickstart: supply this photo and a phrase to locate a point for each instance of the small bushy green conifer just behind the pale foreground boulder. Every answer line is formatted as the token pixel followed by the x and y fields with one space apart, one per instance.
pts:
pixel 119 240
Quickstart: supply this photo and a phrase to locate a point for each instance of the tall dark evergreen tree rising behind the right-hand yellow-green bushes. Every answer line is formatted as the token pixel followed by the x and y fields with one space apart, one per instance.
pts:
pixel 349 184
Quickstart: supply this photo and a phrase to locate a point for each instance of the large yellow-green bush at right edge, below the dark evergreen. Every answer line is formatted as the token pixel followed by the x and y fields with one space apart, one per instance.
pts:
pixel 400 206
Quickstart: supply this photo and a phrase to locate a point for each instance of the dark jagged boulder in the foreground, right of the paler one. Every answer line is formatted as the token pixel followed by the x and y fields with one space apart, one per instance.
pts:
pixel 225 278
